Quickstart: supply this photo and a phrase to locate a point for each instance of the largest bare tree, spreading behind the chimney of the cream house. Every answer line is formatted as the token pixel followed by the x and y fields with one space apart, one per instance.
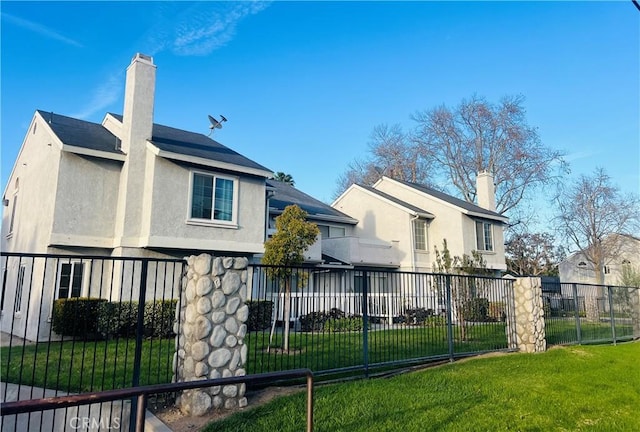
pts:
pixel 479 136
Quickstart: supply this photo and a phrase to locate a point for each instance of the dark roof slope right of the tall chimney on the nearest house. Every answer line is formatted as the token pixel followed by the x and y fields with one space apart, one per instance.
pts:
pixel 194 144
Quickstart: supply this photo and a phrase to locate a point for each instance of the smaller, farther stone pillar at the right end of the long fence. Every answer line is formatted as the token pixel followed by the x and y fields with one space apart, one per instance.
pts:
pixel 529 332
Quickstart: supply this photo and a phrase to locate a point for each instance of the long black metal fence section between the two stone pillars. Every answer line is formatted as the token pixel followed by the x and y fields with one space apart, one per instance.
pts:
pixel 354 320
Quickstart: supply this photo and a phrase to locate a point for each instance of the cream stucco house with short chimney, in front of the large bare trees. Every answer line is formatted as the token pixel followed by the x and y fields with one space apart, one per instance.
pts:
pixel 416 219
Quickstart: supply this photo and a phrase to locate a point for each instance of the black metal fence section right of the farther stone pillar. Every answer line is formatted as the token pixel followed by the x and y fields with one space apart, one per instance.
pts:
pixel 583 313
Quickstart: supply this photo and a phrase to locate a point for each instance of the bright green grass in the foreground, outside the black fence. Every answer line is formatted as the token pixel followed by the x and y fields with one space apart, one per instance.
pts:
pixel 575 388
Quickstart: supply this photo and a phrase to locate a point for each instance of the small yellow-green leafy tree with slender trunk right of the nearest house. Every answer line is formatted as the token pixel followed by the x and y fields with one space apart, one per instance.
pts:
pixel 285 250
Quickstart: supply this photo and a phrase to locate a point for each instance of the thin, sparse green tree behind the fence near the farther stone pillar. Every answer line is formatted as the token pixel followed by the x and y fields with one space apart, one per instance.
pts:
pixel 463 288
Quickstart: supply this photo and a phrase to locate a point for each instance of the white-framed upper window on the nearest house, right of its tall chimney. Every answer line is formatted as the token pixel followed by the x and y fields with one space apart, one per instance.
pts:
pixel 213 198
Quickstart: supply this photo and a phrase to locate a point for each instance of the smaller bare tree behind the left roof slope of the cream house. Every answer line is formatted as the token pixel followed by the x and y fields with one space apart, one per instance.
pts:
pixel 391 152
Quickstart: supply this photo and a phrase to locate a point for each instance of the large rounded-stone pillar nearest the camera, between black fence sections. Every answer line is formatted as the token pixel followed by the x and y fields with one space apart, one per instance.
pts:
pixel 210 332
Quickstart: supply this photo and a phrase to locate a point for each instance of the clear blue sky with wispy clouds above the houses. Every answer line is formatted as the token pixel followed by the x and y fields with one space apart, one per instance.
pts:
pixel 304 83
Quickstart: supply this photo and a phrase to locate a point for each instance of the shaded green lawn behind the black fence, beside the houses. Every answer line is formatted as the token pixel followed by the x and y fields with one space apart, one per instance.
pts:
pixel 76 366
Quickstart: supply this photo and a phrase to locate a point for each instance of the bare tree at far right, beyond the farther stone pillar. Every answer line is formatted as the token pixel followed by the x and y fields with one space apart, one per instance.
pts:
pixel 594 216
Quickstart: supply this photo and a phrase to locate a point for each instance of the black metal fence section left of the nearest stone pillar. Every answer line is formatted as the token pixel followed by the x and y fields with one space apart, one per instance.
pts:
pixel 75 324
